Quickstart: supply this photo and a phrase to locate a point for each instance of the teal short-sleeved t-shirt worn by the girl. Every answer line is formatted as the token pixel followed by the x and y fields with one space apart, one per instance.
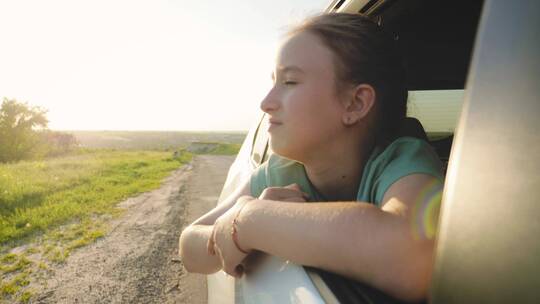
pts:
pixel 404 156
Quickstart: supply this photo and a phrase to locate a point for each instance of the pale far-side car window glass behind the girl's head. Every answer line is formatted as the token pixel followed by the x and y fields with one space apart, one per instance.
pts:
pixel 438 111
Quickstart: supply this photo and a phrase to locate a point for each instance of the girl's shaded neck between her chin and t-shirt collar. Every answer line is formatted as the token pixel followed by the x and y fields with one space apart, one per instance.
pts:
pixel 337 170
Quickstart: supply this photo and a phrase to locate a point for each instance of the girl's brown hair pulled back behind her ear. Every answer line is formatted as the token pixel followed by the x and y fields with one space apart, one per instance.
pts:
pixel 365 53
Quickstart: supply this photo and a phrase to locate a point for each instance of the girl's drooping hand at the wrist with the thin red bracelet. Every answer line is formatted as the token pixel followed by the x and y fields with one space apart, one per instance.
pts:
pixel 221 243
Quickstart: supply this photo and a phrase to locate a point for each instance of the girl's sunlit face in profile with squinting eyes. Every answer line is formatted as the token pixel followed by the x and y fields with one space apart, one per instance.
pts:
pixel 303 108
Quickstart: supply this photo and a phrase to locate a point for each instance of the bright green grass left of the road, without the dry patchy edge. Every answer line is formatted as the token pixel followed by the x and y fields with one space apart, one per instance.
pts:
pixel 36 196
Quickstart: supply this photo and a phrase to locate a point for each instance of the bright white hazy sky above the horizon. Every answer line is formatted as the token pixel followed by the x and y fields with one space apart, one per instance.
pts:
pixel 144 65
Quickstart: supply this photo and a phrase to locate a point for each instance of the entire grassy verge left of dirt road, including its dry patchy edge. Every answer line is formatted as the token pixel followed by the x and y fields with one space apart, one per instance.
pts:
pixel 49 208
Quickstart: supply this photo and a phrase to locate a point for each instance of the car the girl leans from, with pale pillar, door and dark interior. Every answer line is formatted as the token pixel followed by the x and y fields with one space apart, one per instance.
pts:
pixel 487 243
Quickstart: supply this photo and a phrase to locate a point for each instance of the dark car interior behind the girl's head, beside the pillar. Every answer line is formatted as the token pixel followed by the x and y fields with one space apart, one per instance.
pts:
pixel 436 39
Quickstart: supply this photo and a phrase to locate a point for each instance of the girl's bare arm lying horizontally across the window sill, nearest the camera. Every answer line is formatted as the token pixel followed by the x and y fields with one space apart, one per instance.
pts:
pixel 357 240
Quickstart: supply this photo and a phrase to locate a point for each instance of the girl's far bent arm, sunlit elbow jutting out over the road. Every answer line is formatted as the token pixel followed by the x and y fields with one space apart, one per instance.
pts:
pixel 194 238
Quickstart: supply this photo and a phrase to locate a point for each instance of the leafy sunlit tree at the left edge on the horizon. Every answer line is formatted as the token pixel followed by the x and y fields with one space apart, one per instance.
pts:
pixel 19 130
